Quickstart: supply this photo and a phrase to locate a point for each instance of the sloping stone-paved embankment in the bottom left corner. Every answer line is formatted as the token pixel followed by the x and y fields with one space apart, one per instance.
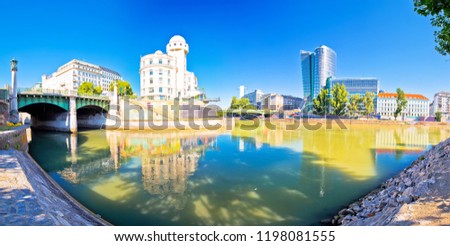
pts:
pixel 29 197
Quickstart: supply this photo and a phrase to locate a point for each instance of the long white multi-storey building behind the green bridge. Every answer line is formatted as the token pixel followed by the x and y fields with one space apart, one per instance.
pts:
pixel 70 75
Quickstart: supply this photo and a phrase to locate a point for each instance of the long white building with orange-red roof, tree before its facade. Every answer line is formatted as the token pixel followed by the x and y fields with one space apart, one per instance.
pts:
pixel 418 105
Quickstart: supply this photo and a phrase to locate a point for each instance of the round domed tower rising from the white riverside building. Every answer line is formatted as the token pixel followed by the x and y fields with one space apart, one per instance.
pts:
pixel 178 48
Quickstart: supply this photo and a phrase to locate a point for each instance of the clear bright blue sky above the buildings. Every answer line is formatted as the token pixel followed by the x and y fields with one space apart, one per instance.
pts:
pixel 232 43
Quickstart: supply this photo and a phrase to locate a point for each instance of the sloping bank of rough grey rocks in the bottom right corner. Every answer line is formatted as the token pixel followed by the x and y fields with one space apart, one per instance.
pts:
pixel 415 187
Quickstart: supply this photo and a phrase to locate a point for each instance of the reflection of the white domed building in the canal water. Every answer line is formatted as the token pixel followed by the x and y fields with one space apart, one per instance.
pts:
pixel 168 159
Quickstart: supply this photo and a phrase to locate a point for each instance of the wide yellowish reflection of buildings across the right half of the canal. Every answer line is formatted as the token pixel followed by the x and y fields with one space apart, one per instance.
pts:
pixel 352 151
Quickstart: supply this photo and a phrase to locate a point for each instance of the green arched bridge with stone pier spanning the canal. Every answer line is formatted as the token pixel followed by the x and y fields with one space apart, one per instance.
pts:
pixel 62 110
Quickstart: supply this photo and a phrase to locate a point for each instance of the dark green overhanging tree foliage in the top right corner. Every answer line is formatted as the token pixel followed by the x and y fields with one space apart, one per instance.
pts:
pixel 439 10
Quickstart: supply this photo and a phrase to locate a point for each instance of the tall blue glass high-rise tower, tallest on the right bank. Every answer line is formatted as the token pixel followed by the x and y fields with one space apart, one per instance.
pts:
pixel 317 66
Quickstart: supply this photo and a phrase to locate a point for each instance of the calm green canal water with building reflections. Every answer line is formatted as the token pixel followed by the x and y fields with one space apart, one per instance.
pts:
pixel 259 177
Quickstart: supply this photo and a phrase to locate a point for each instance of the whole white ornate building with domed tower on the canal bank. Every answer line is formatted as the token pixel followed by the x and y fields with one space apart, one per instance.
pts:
pixel 165 76
